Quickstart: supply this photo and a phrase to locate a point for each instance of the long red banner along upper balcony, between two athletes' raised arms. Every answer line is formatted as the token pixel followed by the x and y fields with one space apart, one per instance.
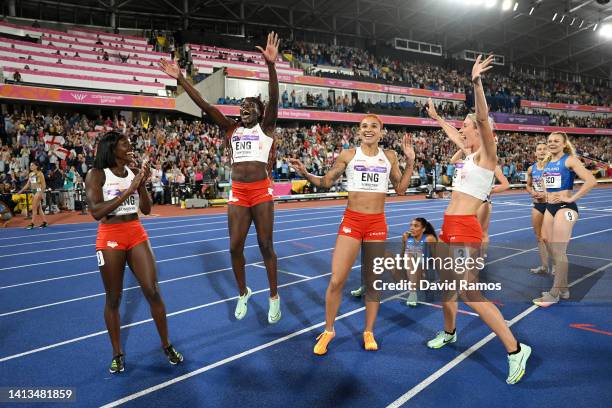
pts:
pixel 344 84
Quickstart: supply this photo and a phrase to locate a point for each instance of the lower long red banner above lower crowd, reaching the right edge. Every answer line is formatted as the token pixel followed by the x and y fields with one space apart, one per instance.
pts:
pixel 325 116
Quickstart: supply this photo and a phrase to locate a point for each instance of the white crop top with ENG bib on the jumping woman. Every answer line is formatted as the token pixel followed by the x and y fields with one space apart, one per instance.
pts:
pixel 250 144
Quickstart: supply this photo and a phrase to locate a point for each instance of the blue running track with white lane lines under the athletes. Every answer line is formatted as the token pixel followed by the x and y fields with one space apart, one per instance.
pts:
pixel 52 329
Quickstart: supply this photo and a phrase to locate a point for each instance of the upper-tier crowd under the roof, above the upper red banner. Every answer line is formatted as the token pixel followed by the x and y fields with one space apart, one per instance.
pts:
pixel 503 91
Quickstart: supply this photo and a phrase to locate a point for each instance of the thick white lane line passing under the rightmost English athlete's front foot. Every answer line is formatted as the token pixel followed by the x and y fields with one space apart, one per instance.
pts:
pixel 454 362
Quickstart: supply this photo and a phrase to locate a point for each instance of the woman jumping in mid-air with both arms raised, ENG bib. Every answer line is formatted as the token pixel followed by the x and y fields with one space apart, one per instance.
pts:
pixel 251 141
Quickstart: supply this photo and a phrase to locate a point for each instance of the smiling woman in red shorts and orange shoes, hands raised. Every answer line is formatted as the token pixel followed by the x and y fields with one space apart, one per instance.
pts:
pixel 368 170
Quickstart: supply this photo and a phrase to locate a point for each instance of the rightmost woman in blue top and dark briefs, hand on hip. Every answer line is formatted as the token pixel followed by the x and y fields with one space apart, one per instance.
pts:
pixel 561 209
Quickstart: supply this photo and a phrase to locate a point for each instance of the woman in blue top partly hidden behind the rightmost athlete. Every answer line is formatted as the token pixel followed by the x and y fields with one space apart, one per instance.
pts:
pixel 535 187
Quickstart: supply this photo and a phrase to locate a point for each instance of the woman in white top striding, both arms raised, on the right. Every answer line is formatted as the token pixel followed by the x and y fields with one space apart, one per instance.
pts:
pixel 462 227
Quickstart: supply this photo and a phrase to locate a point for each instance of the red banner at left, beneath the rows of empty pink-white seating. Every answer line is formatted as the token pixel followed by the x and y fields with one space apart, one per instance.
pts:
pixel 38 94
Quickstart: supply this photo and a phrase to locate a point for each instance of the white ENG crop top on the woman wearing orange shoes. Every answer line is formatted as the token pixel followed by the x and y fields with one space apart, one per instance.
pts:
pixel 368 173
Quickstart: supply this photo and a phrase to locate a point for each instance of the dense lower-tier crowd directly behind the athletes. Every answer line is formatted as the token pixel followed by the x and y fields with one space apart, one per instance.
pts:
pixel 193 152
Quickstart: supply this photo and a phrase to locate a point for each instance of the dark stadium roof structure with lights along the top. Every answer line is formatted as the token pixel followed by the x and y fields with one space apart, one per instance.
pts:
pixel 525 33
